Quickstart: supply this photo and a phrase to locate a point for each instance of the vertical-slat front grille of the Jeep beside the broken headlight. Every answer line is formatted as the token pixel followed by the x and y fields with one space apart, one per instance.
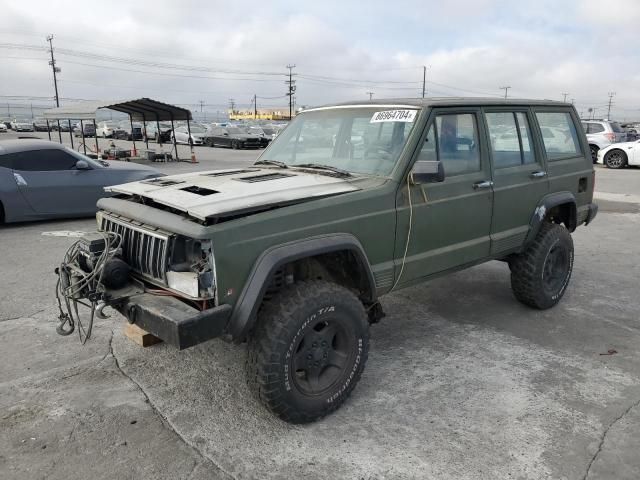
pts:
pixel 145 250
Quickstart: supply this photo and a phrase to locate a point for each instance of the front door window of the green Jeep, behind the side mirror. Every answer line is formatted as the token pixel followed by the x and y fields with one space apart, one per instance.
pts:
pixel 453 140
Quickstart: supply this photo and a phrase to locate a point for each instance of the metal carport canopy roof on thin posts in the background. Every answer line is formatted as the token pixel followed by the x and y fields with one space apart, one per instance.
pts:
pixel 139 109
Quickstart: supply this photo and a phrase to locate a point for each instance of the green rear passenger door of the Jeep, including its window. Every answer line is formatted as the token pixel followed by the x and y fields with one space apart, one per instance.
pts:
pixel 519 176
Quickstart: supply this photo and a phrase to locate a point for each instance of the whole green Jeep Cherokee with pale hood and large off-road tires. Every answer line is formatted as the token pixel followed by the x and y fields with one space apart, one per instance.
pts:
pixel 348 203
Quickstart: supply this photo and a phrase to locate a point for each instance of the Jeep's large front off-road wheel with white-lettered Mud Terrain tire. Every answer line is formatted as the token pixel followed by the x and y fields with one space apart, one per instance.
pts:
pixel 287 327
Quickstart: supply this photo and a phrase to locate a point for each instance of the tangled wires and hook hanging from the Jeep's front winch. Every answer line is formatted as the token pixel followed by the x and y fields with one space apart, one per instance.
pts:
pixel 75 284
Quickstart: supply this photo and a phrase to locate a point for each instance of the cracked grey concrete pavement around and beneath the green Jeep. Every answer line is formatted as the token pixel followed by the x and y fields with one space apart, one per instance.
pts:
pixel 462 381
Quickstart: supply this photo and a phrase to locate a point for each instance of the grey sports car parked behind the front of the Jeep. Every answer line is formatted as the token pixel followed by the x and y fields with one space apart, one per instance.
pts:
pixel 41 179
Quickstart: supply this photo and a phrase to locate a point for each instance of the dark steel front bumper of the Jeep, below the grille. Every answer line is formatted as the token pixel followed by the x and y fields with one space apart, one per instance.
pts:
pixel 174 321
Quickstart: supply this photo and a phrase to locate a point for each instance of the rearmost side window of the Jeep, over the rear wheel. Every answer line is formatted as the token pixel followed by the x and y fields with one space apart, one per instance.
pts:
pixel 558 134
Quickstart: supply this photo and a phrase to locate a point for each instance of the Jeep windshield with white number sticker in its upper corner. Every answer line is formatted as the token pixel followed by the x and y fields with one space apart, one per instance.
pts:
pixel 359 140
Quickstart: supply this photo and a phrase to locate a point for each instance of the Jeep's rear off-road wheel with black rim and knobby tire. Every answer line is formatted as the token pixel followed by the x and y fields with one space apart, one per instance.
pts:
pixel 528 268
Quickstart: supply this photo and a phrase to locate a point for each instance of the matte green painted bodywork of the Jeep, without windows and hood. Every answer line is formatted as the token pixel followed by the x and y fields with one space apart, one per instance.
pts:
pixel 453 223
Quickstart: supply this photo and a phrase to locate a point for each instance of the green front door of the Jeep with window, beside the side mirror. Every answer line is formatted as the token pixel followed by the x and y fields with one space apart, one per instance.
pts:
pixel 450 220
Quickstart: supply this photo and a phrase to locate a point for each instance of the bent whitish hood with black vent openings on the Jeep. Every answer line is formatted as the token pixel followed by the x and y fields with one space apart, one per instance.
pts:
pixel 217 192
